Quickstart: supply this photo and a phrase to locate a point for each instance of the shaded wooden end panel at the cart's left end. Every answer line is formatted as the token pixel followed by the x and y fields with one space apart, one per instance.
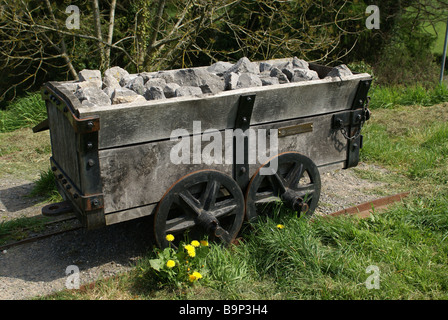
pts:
pixel 63 143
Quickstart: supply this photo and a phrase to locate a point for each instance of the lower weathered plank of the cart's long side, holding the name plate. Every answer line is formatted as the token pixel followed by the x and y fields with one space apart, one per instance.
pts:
pixel 139 175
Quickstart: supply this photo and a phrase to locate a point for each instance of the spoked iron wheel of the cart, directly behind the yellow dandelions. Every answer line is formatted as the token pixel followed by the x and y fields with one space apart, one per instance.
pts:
pixel 205 202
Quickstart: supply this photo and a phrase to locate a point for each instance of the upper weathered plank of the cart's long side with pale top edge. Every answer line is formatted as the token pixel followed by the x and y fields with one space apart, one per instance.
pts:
pixel 155 120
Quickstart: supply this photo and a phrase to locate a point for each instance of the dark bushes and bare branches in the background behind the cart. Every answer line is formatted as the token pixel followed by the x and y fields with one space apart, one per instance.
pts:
pixel 152 35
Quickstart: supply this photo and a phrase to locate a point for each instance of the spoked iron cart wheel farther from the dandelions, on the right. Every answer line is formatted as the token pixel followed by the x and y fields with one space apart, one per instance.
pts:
pixel 295 180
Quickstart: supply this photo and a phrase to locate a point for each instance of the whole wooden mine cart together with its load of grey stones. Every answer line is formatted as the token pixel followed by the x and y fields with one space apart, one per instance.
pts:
pixel 202 149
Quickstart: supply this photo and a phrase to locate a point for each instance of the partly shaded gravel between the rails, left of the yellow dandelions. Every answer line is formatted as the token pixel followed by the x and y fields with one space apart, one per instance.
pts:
pixel 95 252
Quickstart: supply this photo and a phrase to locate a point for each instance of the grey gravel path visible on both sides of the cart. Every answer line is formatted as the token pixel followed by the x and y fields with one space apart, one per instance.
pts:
pixel 39 268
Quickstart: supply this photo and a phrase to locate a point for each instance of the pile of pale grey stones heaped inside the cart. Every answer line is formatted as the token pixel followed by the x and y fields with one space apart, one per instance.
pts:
pixel 117 86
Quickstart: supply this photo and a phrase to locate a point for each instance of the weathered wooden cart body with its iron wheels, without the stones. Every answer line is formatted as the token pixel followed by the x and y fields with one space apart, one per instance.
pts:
pixel 113 163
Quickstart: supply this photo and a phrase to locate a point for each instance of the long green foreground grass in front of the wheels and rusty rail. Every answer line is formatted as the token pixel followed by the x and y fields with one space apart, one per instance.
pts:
pixel 326 259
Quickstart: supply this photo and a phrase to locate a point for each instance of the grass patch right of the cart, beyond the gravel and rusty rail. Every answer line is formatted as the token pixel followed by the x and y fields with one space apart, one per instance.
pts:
pixel 413 141
